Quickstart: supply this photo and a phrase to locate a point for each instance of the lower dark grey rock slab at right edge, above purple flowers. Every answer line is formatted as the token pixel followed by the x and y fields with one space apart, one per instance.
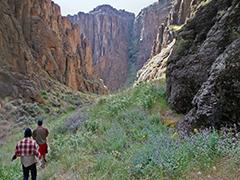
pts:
pixel 217 102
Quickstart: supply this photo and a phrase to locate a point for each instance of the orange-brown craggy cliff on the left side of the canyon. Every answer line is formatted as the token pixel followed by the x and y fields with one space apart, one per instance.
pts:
pixel 39 44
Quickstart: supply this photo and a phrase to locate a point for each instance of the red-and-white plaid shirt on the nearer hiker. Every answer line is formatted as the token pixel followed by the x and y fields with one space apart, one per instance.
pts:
pixel 27 147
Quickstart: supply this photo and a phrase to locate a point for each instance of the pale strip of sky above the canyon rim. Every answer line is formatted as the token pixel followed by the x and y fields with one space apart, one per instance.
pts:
pixel 74 6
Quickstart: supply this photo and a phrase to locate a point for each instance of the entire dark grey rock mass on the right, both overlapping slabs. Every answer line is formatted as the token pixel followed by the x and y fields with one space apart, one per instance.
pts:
pixel 202 72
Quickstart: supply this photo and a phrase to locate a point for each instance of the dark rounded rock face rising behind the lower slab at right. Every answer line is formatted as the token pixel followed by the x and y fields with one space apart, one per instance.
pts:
pixel 198 45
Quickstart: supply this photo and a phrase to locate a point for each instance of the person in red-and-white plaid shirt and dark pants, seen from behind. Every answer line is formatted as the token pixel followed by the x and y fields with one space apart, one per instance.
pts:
pixel 27 149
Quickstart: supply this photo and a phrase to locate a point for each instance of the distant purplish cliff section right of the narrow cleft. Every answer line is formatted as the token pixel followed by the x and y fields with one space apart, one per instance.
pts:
pixel 146 28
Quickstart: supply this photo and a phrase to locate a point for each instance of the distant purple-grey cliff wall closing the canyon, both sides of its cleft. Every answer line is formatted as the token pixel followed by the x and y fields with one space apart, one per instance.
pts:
pixel 118 38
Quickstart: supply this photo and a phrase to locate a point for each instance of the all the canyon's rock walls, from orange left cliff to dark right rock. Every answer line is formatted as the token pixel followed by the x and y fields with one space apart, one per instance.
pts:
pixel 184 42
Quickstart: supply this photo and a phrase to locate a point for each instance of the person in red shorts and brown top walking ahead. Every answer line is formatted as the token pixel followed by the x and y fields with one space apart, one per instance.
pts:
pixel 40 134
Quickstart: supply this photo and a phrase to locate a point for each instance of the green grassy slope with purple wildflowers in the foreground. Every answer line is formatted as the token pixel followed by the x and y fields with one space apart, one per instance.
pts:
pixel 126 137
